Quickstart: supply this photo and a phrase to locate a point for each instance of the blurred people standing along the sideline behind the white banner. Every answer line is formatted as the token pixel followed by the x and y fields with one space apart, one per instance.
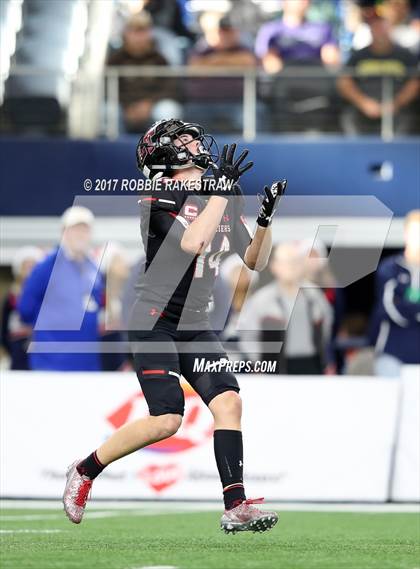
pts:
pixel 81 297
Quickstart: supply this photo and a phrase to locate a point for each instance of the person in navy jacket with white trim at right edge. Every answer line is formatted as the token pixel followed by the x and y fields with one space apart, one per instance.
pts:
pixel 397 309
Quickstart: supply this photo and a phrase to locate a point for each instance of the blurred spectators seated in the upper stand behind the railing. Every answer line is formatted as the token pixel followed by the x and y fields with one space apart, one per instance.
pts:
pixel 326 65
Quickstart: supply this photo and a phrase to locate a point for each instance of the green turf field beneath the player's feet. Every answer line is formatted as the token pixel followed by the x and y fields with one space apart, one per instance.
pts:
pixel 136 539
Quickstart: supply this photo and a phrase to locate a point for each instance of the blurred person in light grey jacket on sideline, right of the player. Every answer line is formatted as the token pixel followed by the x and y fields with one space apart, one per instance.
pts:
pixel 288 310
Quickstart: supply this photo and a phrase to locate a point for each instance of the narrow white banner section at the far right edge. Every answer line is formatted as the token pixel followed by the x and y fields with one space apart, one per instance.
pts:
pixel 406 484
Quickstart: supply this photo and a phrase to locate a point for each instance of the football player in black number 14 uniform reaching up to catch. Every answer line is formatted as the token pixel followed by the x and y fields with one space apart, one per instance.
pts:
pixel 187 229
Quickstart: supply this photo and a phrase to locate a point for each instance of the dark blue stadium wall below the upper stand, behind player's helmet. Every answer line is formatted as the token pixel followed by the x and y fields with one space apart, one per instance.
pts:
pixel 49 173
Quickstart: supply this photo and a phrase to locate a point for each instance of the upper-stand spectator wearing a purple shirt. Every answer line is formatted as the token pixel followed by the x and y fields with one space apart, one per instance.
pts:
pixel 295 40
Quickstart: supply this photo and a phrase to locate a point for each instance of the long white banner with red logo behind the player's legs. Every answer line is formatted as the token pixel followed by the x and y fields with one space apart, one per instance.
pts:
pixel 304 438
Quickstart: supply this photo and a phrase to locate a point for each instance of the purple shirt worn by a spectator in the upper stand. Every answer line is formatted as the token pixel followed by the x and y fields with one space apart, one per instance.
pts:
pixel 300 43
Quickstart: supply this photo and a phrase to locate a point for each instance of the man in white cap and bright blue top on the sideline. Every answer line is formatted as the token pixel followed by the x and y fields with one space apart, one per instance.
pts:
pixel 61 299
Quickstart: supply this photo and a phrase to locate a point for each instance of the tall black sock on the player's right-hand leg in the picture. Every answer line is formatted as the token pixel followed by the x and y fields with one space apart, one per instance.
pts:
pixel 228 450
